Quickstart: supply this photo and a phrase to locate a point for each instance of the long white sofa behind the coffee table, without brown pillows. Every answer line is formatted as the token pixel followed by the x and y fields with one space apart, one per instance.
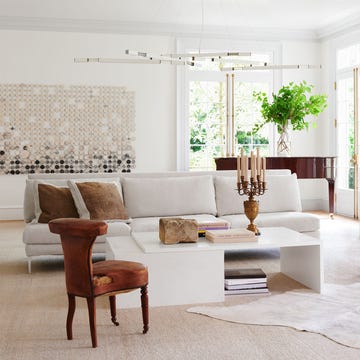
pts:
pixel 149 196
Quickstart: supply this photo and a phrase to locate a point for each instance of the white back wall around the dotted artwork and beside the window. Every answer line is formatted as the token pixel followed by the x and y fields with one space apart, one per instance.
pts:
pixel 47 58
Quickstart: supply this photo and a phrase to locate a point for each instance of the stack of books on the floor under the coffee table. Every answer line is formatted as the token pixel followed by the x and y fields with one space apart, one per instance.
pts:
pixel 245 281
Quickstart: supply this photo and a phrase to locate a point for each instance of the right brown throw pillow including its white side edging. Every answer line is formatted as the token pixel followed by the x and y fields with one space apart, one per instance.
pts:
pixel 98 200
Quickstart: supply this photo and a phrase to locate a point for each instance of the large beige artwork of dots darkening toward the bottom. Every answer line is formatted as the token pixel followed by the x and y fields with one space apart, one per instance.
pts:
pixel 66 129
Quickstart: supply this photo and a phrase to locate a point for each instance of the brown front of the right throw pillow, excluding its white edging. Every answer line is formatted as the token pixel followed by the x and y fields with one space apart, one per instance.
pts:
pixel 102 200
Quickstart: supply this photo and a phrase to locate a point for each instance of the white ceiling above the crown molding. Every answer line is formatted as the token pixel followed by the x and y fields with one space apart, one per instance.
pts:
pixel 178 15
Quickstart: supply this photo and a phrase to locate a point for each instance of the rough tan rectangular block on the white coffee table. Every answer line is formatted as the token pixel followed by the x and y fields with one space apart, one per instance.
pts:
pixel 178 230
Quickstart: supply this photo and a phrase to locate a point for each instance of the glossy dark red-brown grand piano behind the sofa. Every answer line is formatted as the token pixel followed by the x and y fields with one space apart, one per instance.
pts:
pixel 306 167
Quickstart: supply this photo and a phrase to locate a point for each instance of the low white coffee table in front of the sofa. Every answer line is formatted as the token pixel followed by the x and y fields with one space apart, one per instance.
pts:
pixel 194 273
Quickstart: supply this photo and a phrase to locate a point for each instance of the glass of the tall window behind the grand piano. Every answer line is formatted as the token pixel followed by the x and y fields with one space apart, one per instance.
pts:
pixel 207 118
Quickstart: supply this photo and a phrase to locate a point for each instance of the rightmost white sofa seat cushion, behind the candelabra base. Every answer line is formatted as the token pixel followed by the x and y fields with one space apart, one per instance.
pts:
pixel 298 221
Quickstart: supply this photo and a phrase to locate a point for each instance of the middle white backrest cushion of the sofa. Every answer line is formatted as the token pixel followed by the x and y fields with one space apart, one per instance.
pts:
pixel 169 196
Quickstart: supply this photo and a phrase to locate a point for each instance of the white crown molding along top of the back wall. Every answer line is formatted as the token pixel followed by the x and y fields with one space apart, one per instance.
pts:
pixel 141 28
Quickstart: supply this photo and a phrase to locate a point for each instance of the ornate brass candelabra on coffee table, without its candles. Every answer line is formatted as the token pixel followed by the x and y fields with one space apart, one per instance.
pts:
pixel 251 188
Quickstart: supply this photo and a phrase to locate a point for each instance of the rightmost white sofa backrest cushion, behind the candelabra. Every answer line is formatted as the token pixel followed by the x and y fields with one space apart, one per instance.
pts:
pixel 282 194
